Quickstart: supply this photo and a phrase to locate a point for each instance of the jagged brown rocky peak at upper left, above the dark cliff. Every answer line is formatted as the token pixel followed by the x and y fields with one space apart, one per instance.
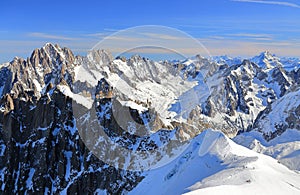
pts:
pixel 50 64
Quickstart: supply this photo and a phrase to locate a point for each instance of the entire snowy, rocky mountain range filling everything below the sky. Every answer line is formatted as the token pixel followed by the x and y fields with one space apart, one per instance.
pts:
pixel 50 141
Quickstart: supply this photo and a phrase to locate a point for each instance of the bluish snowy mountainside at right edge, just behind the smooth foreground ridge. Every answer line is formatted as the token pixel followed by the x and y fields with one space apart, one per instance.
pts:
pixel 280 125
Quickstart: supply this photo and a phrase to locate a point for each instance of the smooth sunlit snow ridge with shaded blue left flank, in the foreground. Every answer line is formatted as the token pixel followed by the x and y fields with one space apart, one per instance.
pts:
pixel 214 164
